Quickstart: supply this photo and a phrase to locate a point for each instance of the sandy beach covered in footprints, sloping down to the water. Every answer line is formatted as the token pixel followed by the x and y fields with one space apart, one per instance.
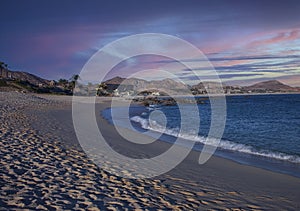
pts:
pixel 43 167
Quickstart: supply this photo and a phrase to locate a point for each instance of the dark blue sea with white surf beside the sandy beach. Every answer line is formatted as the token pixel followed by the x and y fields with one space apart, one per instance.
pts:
pixel 261 130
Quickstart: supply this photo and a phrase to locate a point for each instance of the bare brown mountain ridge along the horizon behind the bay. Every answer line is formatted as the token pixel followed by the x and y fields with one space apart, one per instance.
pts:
pixel 167 85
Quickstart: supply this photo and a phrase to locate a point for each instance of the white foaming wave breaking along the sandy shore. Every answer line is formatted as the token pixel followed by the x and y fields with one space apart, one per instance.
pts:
pixel 224 144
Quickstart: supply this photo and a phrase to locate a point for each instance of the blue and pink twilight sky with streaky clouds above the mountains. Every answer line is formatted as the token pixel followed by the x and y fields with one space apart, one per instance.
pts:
pixel 245 41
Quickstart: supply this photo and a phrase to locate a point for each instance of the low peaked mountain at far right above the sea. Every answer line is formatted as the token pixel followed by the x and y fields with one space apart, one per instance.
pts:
pixel 272 85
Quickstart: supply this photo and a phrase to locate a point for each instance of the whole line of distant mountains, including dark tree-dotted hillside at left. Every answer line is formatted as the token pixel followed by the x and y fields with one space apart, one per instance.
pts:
pixel 16 80
